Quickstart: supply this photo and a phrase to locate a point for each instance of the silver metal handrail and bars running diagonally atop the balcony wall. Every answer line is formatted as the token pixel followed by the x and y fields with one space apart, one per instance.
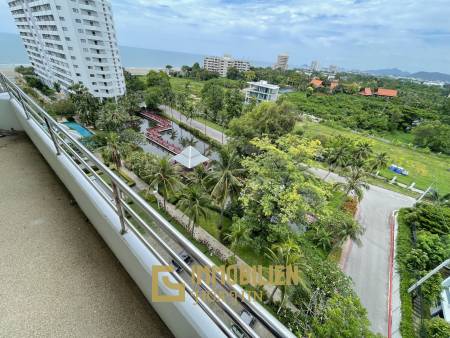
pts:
pixel 64 142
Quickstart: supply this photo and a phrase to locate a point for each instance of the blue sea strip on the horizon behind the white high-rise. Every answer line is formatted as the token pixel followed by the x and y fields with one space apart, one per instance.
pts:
pixel 13 53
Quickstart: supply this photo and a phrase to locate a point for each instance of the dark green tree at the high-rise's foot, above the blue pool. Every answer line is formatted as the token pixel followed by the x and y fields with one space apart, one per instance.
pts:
pixel 86 105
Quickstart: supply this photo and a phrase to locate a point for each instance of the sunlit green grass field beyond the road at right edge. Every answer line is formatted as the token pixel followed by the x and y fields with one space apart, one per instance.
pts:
pixel 424 168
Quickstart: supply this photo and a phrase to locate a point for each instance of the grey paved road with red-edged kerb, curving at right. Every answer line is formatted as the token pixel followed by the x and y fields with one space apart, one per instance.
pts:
pixel 368 265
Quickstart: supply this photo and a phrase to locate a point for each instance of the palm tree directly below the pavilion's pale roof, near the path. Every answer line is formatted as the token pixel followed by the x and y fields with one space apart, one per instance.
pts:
pixel 194 203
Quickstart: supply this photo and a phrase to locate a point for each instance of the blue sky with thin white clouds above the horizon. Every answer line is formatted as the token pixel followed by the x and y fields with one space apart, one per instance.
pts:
pixel 412 35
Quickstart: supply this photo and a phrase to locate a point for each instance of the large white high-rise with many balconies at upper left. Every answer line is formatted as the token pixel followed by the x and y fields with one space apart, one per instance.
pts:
pixel 71 41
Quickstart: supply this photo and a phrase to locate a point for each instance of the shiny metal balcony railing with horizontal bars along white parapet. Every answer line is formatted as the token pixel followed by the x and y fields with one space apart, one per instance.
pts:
pixel 118 195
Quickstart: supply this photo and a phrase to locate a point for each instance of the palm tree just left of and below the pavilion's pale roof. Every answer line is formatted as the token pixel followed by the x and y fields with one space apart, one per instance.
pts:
pixel 164 176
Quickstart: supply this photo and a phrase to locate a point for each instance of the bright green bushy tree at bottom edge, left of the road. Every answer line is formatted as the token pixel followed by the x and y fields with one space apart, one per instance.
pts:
pixel 344 317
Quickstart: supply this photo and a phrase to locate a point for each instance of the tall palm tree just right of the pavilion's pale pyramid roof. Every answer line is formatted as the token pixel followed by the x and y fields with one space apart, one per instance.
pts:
pixel 226 179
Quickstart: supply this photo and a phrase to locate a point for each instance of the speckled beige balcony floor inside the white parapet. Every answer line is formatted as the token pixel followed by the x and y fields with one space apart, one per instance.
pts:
pixel 57 275
